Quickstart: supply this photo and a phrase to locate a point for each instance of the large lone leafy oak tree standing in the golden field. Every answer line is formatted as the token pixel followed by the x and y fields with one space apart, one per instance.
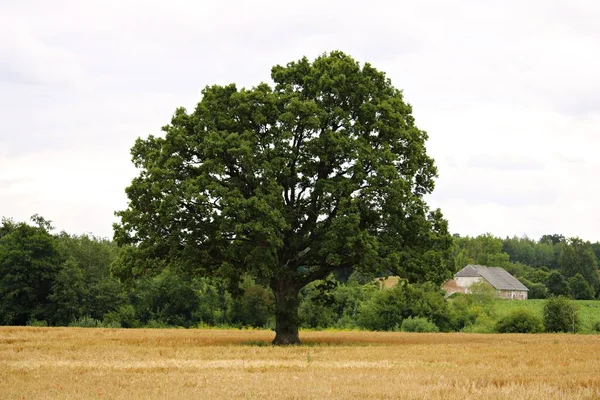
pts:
pixel 324 170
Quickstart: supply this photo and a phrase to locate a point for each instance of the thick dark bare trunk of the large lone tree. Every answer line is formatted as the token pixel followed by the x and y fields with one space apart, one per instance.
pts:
pixel 286 313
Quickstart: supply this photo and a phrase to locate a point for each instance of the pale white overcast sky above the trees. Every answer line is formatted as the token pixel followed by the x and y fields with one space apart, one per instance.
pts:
pixel 509 92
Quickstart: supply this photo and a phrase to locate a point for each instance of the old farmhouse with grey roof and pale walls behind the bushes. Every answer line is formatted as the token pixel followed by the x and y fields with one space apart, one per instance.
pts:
pixel 506 285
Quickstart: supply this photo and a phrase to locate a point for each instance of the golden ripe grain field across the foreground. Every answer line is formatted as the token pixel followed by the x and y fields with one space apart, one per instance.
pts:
pixel 75 363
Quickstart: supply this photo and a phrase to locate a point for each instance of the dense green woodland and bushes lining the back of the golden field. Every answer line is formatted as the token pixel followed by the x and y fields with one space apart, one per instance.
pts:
pixel 58 279
